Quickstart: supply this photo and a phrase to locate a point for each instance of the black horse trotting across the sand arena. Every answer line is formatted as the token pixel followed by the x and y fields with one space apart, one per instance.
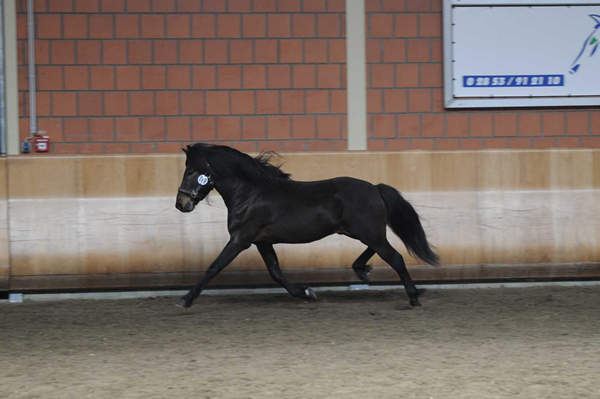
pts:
pixel 266 207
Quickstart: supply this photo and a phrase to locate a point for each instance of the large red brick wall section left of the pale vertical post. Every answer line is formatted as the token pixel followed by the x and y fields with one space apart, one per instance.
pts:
pixel 119 76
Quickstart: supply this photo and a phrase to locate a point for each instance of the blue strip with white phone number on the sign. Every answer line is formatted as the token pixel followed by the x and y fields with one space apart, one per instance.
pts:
pixel 513 80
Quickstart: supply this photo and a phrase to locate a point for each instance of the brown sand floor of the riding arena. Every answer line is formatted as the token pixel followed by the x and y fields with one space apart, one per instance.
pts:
pixel 473 343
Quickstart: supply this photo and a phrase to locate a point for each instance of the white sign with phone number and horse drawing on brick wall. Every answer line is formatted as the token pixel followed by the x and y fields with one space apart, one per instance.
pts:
pixel 521 53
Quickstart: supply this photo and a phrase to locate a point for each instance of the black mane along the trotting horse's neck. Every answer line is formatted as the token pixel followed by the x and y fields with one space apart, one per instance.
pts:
pixel 257 169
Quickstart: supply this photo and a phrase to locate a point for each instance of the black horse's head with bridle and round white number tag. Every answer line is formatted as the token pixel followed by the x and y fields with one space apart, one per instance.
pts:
pixel 197 181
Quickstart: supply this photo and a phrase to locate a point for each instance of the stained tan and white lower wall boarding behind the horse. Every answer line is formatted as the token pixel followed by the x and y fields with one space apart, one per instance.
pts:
pixel 109 221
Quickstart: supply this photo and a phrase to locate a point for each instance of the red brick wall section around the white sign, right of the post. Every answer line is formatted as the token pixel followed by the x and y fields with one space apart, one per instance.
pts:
pixel 405 93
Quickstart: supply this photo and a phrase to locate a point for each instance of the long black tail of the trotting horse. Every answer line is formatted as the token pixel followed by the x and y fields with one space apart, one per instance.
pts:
pixel 404 221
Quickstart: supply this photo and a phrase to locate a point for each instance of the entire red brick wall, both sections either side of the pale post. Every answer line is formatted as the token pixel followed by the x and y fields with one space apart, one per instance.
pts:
pixel 118 76
